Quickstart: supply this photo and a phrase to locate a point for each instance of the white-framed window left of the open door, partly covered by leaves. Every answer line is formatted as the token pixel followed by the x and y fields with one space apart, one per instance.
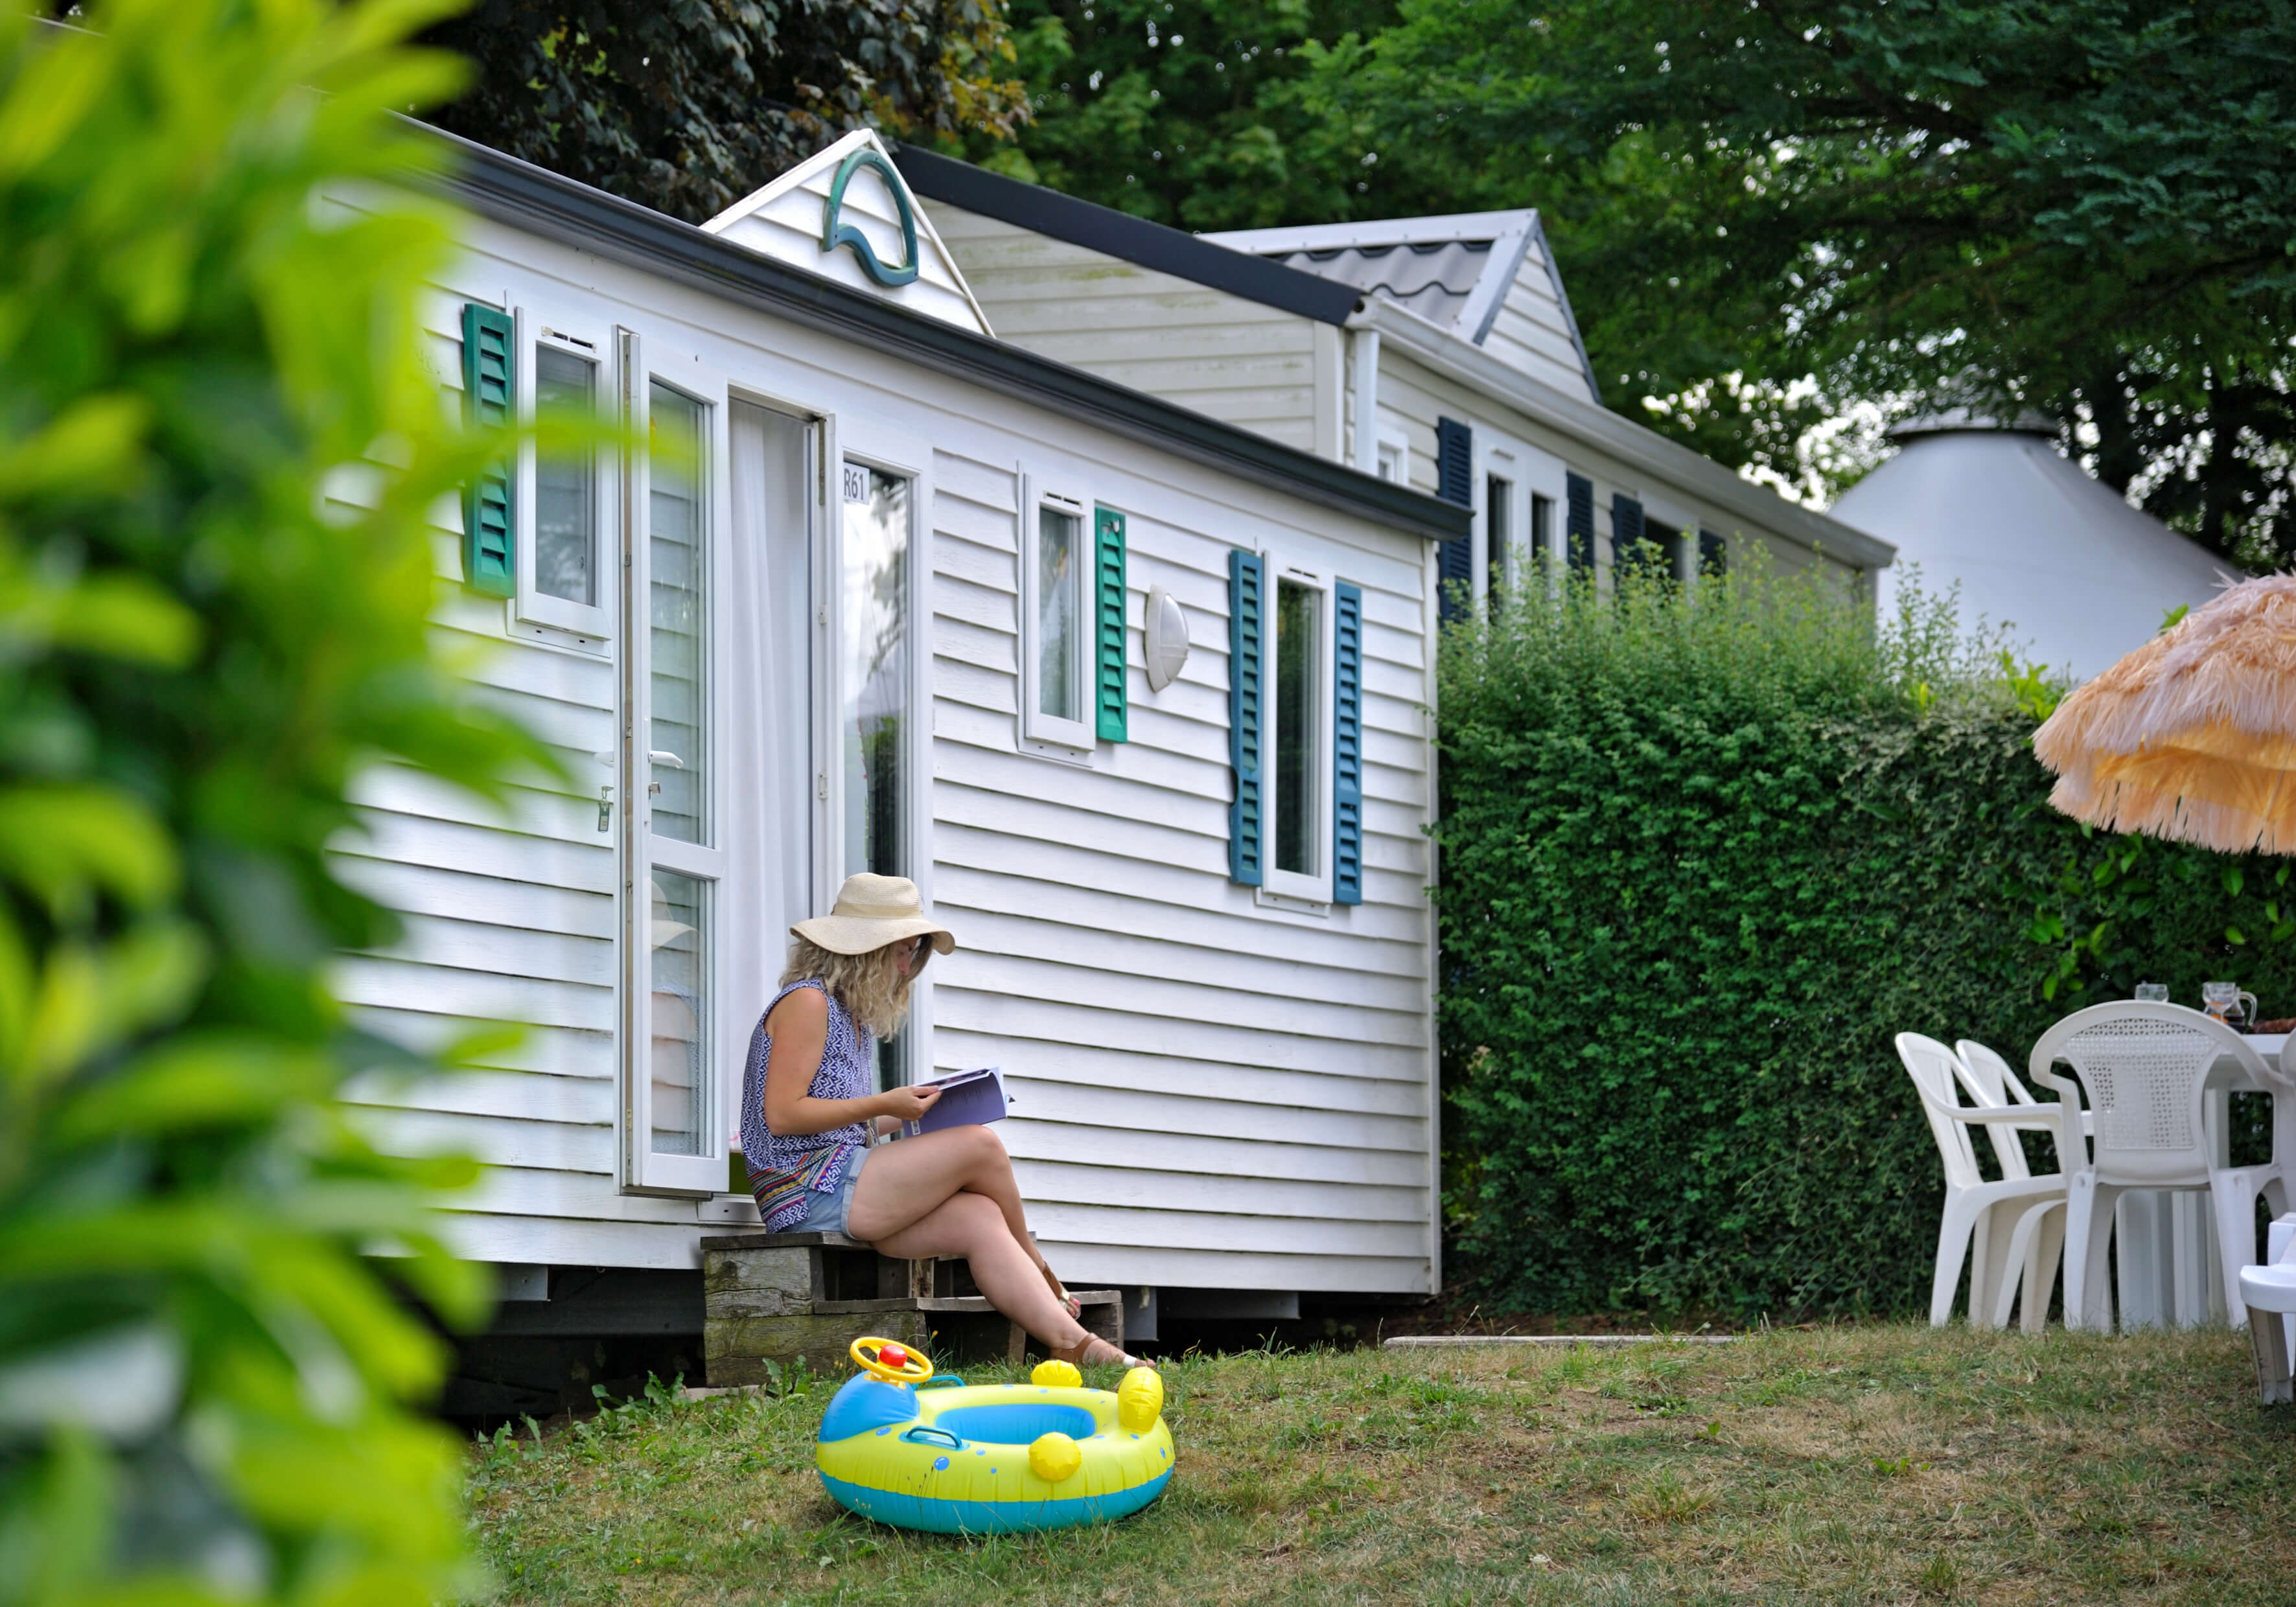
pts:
pixel 564 577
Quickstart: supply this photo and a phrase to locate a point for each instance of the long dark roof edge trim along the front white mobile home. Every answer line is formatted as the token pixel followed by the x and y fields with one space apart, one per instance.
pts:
pixel 545 203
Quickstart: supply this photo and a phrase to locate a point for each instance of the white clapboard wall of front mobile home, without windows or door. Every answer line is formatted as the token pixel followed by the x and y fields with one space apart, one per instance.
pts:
pixel 1211 1094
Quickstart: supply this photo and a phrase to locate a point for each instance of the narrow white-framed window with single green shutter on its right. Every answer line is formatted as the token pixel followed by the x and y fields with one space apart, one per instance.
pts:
pixel 1057 623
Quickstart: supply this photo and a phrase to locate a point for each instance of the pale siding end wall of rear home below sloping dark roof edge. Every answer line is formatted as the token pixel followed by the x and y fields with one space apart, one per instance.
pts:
pixel 1232 359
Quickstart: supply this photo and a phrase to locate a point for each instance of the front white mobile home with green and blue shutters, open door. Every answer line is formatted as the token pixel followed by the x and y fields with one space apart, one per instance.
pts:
pixel 881 591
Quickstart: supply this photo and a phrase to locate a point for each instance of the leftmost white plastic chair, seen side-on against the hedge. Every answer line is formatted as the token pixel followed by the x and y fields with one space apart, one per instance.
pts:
pixel 1989 1225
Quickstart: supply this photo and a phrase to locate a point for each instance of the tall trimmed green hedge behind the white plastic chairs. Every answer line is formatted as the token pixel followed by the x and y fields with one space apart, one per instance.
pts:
pixel 1700 862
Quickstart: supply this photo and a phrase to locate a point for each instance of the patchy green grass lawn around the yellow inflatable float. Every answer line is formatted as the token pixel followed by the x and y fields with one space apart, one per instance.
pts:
pixel 1836 1466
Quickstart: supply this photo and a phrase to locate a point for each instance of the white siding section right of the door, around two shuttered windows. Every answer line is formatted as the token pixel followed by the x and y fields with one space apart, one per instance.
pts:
pixel 1211 1094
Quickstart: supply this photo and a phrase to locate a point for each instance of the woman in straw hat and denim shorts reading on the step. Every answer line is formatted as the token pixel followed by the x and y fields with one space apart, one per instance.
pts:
pixel 809 1121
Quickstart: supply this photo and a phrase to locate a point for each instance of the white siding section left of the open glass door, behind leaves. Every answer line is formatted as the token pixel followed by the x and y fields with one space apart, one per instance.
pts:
pixel 511 917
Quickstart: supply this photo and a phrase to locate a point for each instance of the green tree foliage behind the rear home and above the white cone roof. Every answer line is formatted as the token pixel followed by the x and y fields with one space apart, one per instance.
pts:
pixel 1774 210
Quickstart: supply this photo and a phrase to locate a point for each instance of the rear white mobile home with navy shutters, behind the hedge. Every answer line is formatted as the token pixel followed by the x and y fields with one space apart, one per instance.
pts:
pixel 1434 352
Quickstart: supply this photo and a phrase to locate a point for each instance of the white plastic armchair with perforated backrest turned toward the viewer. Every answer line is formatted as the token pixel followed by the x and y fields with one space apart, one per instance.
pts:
pixel 2146 1069
